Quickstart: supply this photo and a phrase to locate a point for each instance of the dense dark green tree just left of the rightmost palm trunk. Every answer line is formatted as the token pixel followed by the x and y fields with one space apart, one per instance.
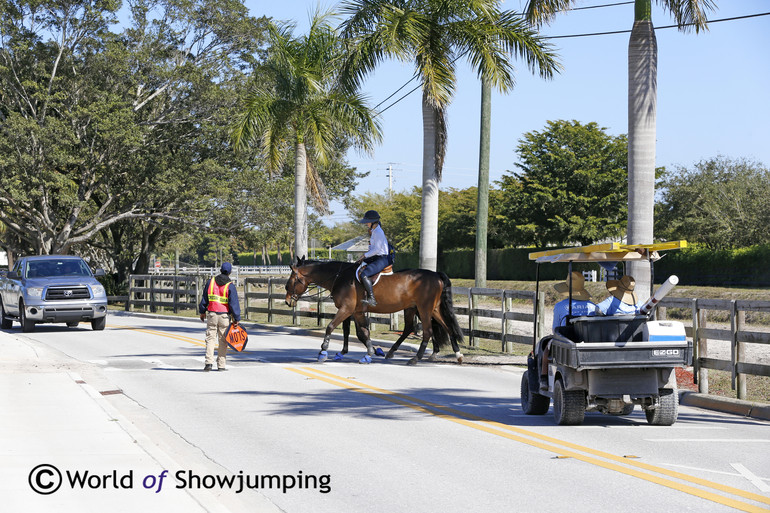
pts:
pixel 572 187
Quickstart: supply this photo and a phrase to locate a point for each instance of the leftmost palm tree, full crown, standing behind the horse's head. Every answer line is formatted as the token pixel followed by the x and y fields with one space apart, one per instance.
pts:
pixel 296 101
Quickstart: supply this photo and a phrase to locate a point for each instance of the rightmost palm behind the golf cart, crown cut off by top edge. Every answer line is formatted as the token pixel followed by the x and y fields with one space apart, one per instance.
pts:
pixel 642 107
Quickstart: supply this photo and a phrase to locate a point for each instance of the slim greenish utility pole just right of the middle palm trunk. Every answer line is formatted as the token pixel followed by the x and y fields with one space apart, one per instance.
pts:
pixel 482 210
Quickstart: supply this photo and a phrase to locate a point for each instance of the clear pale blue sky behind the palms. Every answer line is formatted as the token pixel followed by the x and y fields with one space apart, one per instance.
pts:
pixel 713 94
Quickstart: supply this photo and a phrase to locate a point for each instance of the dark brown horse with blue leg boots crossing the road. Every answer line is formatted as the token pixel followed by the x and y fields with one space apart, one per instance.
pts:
pixel 416 291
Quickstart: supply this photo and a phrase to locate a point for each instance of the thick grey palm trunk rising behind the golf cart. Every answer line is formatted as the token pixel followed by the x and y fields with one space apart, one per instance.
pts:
pixel 642 105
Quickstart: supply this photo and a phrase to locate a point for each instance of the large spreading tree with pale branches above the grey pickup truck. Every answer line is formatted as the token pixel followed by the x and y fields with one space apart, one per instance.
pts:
pixel 111 141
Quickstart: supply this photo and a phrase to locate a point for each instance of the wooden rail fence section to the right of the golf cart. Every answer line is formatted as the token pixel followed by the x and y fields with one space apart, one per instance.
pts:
pixel 738 336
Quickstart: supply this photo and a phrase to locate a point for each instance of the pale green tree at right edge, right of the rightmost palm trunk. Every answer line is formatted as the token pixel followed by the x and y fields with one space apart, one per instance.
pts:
pixel 721 203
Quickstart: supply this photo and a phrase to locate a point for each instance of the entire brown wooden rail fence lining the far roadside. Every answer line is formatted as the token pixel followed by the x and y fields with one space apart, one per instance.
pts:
pixel 151 292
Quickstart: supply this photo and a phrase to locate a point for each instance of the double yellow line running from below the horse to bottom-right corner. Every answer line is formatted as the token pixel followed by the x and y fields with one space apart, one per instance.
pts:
pixel 563 448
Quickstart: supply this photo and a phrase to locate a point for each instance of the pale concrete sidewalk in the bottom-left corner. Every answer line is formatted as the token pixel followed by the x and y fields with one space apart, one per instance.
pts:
pixel 62 417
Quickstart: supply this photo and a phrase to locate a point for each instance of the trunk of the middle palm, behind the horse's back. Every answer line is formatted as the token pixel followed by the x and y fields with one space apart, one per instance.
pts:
pixel 429 220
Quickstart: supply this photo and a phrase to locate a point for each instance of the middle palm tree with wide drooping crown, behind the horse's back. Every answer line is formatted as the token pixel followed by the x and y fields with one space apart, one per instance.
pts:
pixel 434 34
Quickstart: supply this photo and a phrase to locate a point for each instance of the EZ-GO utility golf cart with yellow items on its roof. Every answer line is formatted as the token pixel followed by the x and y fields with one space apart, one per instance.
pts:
pixel 608 363
